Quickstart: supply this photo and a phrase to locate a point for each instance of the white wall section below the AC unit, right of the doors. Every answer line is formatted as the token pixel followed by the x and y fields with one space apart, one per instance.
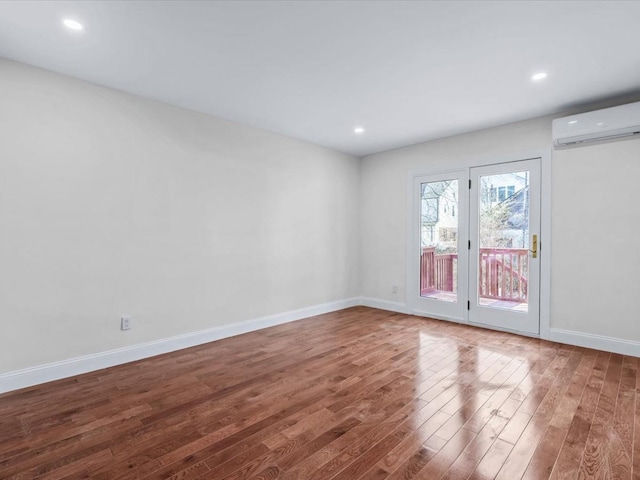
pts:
pixel 596 229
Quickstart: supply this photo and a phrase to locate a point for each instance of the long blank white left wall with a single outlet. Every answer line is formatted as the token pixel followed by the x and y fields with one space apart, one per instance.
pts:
pixel 113 204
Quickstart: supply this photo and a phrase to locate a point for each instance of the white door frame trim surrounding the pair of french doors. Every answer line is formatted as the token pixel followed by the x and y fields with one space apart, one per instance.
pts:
pixel 544 245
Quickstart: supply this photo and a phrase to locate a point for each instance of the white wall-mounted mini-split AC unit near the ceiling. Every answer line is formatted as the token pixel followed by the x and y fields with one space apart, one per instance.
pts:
pixel 599 125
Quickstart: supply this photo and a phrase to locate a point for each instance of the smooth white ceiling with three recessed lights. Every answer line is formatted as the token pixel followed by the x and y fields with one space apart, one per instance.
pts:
pixel 407 71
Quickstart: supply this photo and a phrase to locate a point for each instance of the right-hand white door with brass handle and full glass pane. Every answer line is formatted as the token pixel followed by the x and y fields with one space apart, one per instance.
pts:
pixel 504 273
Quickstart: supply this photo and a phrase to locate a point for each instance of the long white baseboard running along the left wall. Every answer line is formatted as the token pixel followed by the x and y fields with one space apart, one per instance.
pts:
pixel 79 365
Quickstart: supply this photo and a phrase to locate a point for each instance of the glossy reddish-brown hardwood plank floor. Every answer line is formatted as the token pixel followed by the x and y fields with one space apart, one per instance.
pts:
pixel 359 393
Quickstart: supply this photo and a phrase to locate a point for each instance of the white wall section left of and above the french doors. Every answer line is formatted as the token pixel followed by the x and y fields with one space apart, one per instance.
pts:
pixel 383 194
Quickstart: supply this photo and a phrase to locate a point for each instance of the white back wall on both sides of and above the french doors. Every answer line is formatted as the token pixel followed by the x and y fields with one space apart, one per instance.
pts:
pixel 595 222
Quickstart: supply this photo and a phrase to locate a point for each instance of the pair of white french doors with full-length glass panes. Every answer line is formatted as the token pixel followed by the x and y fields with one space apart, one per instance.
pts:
pixel 474 255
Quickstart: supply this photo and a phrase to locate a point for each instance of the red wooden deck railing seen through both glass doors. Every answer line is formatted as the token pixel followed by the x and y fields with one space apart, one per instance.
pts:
pixel 502 274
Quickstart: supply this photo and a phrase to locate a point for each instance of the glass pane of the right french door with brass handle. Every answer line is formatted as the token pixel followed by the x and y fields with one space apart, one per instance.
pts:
pixel 503 255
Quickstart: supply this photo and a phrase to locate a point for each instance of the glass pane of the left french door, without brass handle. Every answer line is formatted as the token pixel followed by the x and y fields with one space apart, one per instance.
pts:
pixel 439 215
